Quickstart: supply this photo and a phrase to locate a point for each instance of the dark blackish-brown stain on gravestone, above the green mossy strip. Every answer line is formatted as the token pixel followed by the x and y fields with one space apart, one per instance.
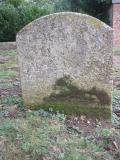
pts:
pixel 67 91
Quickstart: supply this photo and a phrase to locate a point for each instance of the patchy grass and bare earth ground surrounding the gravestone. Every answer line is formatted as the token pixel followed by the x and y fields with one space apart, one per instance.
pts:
pixel 41 135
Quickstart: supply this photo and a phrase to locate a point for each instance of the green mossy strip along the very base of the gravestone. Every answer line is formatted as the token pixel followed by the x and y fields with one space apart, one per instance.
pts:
pixel 74 107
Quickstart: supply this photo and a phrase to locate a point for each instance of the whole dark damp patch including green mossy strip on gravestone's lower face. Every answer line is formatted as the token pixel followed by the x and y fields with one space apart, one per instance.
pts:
pixel 69 98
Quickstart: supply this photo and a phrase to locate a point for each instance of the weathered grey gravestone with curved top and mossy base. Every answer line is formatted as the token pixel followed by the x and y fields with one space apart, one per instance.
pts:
pixel 65 64
